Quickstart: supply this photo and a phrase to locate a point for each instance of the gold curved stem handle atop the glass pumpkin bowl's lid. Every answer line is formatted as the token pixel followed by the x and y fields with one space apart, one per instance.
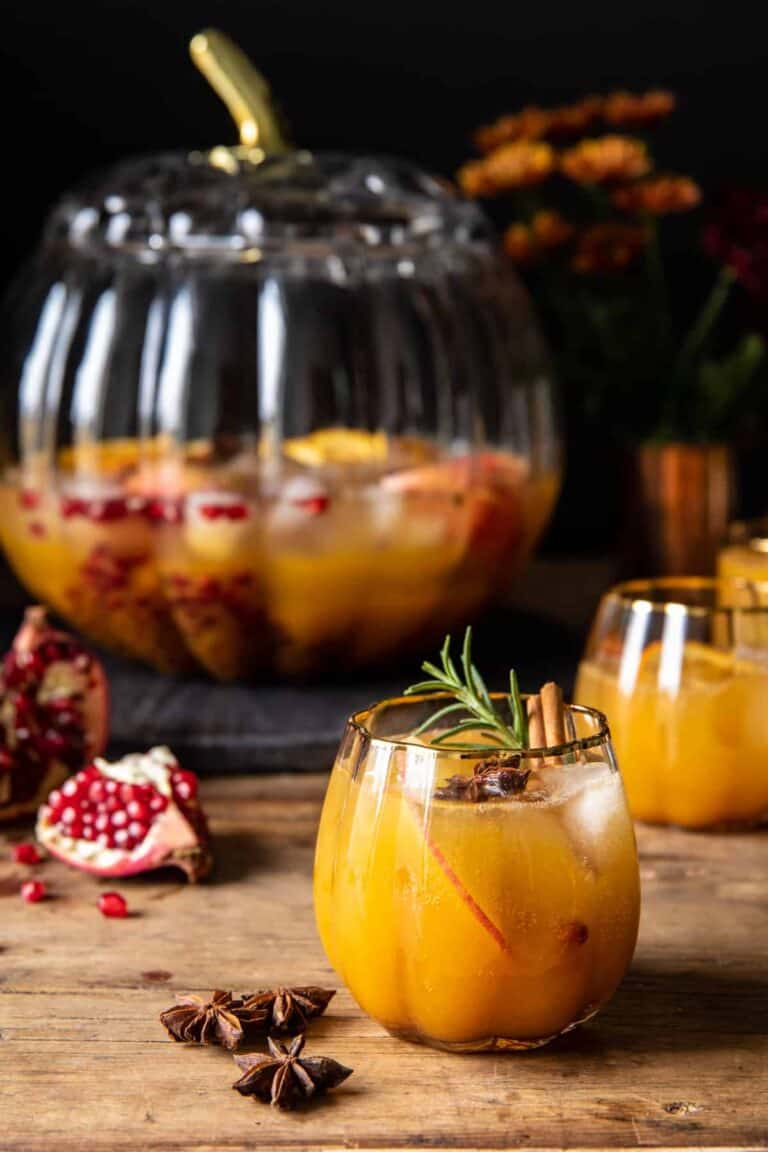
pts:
pixel 242 88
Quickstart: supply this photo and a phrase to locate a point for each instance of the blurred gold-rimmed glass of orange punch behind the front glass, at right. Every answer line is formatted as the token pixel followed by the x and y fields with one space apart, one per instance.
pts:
pixel 681 669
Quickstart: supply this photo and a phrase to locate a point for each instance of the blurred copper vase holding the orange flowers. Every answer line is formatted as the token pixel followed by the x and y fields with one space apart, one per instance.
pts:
pixel 680 501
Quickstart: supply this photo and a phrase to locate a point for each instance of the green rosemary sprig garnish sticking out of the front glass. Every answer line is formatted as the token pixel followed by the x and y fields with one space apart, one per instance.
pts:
pixel 472 695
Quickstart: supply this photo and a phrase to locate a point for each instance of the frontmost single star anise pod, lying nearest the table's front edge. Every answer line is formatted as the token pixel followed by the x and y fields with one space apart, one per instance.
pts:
pixel 285 1078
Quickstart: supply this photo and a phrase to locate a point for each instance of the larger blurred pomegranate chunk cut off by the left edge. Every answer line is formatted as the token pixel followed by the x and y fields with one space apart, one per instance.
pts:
pixel 54 714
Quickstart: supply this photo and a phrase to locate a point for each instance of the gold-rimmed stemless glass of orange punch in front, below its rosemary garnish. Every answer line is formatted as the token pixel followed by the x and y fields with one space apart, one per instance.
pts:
pixel 468 921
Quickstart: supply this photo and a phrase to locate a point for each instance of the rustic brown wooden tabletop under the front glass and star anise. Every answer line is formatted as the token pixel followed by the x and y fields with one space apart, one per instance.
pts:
pixel 679 1059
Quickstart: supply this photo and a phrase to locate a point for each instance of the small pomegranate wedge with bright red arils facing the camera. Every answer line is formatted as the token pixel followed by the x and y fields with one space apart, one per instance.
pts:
pixel 133 816
